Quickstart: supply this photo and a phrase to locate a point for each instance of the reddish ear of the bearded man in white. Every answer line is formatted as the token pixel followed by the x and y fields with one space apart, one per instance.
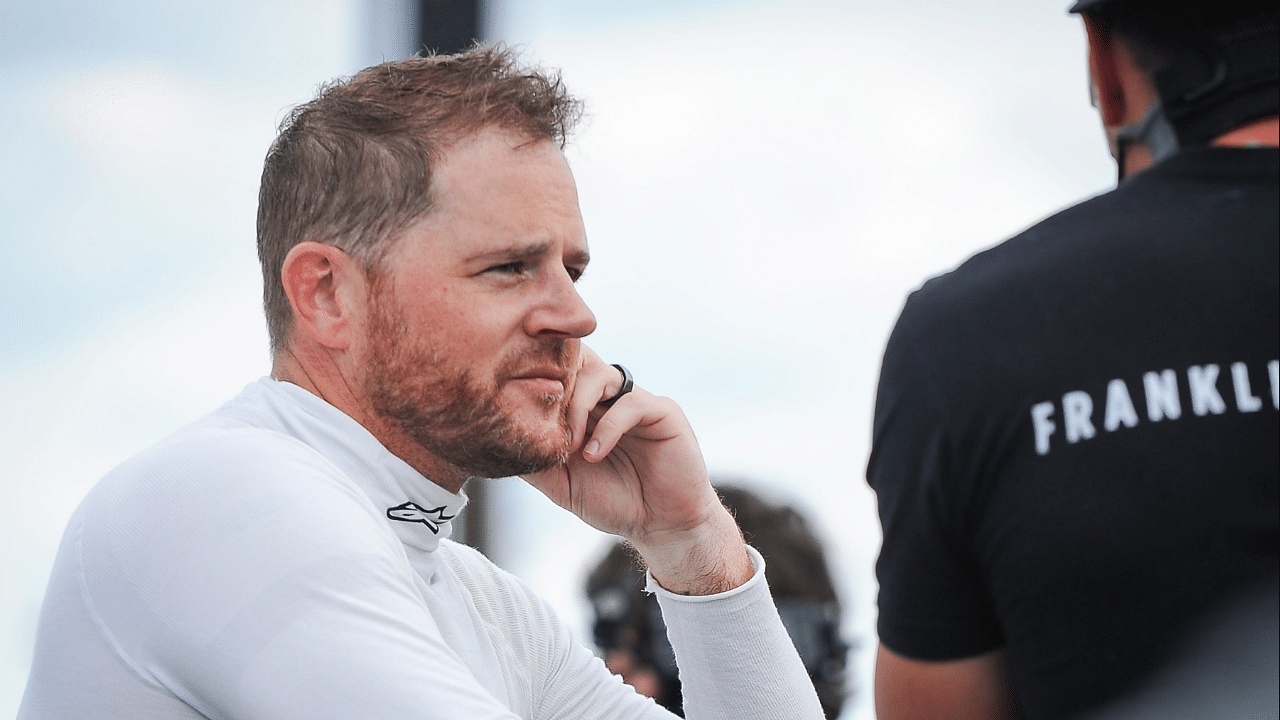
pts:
pixel 327 290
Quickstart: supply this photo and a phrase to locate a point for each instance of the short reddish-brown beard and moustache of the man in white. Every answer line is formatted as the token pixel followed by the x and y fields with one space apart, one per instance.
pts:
pixel 450 413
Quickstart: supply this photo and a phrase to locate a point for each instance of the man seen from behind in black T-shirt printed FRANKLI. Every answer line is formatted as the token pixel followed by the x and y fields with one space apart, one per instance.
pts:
pixel 1075 446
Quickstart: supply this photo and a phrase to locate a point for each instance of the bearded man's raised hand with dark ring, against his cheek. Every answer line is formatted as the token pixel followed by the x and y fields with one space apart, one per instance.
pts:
pixel 636 471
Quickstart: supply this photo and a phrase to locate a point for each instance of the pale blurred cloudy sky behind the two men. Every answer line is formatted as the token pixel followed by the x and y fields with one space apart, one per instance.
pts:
pixel 764 184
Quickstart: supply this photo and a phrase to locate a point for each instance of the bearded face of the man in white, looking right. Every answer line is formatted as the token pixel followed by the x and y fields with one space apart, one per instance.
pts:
pixel 473 343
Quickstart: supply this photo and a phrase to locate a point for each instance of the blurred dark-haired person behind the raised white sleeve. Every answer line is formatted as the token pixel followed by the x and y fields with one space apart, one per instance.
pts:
pixel 628 623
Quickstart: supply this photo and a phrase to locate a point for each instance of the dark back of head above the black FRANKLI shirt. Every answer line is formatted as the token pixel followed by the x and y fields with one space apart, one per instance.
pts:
pixel 1214 63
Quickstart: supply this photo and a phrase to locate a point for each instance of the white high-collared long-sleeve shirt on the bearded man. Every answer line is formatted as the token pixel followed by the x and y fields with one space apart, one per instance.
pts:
pixel 275 562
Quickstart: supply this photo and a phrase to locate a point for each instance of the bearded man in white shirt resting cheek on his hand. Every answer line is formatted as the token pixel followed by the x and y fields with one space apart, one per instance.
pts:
pixel 287 558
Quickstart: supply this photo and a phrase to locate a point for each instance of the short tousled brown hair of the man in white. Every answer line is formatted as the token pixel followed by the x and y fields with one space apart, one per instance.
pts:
pixel 353 168
